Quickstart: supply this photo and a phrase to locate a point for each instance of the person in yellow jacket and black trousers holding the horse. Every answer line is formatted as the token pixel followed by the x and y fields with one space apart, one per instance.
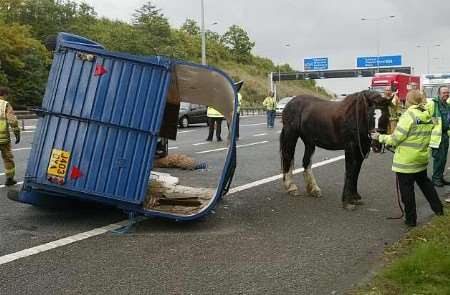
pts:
pixel 411 139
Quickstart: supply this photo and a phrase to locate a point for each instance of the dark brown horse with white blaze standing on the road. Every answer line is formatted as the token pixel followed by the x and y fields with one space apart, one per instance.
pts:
pixel 344 125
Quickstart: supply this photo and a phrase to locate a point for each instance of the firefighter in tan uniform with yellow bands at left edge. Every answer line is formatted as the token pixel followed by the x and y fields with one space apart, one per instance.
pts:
pixel 8 119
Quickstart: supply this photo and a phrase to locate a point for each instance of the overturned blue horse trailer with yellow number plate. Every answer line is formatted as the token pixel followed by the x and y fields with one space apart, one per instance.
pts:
pixel 100 120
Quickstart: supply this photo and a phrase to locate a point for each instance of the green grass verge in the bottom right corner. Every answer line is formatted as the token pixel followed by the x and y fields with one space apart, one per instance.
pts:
pixel 417 264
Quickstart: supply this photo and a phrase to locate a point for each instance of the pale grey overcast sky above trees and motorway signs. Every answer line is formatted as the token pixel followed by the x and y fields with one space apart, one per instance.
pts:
pixel 313 28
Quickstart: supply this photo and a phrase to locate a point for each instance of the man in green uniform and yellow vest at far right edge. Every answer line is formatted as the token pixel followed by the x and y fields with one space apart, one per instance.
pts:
pixel 440 111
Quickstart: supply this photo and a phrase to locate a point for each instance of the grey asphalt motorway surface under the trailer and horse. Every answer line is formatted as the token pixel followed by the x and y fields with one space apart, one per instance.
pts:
pixel 259 240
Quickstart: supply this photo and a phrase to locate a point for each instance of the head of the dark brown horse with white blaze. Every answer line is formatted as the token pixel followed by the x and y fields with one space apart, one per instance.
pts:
pixel 378 116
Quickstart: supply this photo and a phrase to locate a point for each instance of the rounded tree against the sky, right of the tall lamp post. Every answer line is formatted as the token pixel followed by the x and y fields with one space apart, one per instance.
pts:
pixel 237 40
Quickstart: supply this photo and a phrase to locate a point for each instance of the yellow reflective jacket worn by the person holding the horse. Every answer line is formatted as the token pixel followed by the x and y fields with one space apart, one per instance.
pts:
pixel 411 139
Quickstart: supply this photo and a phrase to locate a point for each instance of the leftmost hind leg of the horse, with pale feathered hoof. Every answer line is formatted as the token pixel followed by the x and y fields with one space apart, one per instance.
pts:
pixel 288 141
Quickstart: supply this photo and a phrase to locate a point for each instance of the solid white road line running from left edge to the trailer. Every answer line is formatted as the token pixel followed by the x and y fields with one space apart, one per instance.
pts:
pixel 61 242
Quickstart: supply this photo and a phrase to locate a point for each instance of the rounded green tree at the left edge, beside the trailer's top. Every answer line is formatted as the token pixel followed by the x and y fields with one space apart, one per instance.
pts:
pixel 23 65
